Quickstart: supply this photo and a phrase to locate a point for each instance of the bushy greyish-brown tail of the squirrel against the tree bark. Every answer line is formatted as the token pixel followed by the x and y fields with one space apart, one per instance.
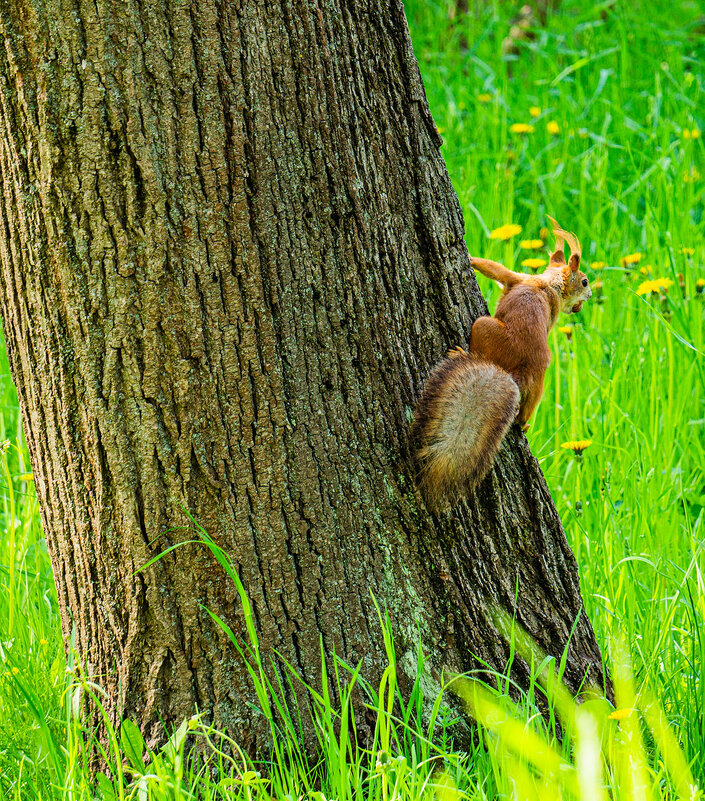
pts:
pixel 464 411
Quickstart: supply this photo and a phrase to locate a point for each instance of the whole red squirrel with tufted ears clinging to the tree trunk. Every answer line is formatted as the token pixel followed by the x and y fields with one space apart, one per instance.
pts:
pixel 472 397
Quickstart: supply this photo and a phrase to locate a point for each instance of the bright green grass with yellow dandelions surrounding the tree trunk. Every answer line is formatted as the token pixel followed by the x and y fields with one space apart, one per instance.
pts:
pixel 596 120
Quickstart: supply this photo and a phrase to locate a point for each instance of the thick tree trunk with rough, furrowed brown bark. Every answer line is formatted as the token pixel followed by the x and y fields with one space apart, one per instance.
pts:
pixel 231 254
